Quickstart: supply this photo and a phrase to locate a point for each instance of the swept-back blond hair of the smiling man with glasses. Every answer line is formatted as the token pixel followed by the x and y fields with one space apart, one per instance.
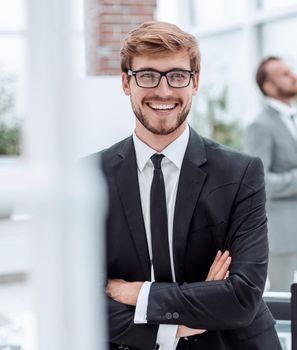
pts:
pixel 158 38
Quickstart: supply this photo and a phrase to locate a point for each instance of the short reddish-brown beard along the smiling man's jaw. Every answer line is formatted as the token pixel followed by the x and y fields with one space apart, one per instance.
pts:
pixel 181 117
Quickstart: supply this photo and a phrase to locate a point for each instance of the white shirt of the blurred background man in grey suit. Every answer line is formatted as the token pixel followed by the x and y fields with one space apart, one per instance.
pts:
pixel 286 112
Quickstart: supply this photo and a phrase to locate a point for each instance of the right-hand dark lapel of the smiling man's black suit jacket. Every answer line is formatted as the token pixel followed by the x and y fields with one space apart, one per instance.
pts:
pixel 190 184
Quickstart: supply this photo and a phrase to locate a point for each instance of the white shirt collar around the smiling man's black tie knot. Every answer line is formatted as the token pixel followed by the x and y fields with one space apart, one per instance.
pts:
pixel 175 151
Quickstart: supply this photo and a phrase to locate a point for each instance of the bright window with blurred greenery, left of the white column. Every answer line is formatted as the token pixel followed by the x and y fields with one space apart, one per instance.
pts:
pixel 12 73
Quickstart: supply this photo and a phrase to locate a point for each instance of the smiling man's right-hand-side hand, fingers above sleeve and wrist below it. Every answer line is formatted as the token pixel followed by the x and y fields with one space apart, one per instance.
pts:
pixel 219 270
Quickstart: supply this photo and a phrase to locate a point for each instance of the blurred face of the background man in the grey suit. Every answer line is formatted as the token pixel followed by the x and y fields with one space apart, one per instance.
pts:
pixel 281 82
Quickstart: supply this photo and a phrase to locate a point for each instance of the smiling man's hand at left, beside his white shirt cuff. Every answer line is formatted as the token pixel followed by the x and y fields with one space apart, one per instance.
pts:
pixel 122 291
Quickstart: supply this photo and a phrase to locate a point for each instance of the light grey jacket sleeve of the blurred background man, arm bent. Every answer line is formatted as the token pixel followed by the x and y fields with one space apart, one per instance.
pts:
pixel 259 142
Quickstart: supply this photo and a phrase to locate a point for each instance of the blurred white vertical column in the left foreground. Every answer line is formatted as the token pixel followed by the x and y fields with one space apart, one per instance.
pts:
pixel 67 275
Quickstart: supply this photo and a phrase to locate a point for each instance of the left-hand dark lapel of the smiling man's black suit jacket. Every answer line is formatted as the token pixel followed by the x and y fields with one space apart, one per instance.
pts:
pixel 128 187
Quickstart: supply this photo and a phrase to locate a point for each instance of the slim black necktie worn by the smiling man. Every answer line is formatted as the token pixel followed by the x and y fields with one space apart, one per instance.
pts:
pixel 159 224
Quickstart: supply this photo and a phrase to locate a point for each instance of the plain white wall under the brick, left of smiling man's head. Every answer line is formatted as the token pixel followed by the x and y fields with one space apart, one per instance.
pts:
pixel 103 114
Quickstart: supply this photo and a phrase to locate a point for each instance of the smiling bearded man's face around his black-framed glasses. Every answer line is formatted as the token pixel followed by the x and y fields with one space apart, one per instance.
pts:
pixel 163 109
